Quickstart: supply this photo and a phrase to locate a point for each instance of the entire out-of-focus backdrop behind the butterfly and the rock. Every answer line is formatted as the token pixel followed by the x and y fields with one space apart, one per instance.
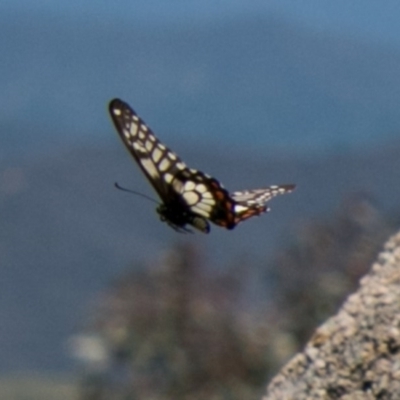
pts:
pixel 98 299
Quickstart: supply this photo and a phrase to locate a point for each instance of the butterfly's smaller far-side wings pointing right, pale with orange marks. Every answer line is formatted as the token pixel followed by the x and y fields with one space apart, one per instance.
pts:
pixel 253 202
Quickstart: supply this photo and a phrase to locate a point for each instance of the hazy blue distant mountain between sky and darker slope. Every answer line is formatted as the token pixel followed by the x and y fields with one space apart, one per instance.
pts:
pixel 242 82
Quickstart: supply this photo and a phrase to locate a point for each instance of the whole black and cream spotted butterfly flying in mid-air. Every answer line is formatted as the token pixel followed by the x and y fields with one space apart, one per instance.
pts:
pixel 189 197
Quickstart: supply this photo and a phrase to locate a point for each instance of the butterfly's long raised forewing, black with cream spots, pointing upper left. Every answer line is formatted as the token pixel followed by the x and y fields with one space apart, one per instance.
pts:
pixel 158 163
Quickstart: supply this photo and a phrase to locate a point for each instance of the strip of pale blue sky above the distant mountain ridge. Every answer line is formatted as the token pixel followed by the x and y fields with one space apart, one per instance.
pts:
pixel 373 19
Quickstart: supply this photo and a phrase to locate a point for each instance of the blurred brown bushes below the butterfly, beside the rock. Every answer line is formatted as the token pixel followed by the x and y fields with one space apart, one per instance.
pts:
pixel 180 330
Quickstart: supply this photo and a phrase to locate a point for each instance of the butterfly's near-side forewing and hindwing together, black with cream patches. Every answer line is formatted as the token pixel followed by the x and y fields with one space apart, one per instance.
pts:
pixel 184 190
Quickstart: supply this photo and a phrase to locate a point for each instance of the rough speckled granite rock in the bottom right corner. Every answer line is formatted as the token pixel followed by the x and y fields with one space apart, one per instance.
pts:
pixel 355 354
